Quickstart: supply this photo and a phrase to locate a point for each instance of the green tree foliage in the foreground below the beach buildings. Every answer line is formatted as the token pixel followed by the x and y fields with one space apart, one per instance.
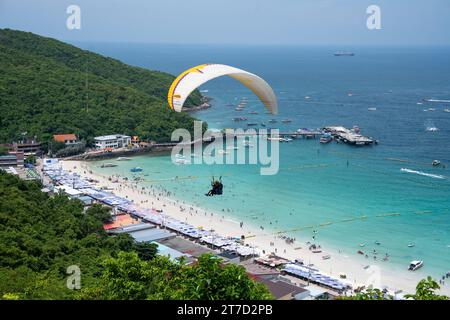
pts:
pixel 41 236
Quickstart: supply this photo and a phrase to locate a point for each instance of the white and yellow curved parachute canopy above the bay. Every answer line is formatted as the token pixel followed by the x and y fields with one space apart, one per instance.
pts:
pixel 192 78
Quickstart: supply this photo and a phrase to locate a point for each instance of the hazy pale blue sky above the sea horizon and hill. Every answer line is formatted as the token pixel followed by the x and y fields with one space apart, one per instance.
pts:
pixel 294 22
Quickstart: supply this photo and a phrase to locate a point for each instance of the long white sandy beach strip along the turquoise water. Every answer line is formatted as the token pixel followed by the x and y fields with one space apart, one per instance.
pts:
pixel 358 273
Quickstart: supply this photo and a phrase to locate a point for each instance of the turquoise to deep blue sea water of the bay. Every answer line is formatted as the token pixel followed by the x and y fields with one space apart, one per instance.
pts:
pixel 315 186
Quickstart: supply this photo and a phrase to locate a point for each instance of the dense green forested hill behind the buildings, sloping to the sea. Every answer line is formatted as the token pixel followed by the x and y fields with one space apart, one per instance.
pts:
pixel 48 87
